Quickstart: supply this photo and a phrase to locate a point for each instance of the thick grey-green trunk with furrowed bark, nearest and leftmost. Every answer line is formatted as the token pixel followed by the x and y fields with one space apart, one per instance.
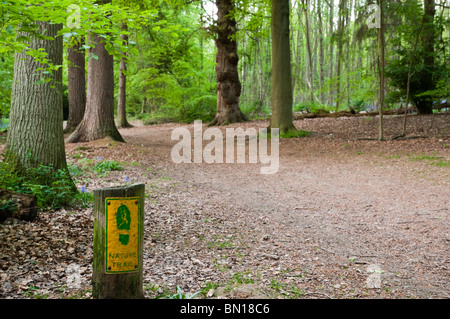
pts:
pixel 36 135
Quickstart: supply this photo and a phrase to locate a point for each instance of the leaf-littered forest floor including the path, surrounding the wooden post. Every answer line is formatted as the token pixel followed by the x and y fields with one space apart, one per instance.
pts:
pixel 342 218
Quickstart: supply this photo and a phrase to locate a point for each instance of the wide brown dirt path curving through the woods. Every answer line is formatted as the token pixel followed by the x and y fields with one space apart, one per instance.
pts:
pixel 334 208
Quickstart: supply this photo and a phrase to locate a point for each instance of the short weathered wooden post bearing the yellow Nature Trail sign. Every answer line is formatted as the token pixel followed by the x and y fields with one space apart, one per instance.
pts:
pixel 118 242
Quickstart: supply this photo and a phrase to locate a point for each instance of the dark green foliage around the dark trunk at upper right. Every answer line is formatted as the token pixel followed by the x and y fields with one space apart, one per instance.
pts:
pixel 402 55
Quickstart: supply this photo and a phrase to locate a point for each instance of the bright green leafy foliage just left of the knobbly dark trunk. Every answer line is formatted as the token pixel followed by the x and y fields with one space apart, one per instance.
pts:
pixel 172 71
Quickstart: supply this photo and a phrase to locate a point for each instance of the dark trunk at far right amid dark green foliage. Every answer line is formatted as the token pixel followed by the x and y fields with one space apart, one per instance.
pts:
pixel 425 103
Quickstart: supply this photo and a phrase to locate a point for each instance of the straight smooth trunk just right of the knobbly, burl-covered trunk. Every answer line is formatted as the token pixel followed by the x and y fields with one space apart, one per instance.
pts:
pixel 281 68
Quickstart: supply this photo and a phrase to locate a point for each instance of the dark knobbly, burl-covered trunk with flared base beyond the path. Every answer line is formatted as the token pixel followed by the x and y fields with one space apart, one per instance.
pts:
pixel 228 84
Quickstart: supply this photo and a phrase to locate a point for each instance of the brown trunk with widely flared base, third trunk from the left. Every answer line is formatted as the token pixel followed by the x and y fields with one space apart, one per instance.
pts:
pixel 98 120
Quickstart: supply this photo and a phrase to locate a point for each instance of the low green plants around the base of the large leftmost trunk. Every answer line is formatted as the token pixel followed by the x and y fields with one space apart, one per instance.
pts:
pixel 53 189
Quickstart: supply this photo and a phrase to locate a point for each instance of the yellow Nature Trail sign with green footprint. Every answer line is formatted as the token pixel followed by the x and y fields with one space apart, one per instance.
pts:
pixel 122 234
